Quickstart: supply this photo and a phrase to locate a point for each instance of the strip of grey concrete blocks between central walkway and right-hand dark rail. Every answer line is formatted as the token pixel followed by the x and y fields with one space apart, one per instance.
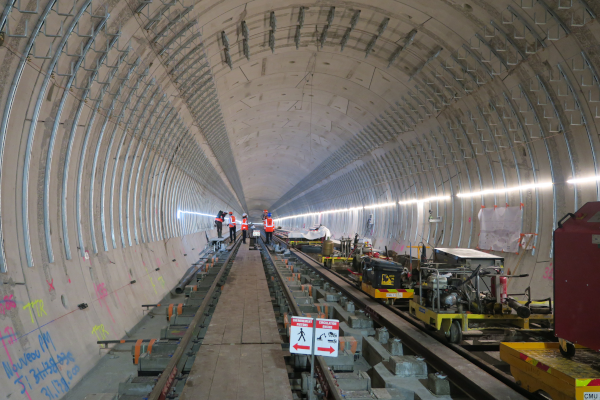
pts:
pixel 374 361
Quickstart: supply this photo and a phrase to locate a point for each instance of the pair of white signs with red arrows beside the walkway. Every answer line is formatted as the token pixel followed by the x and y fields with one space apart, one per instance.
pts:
pixel 325 333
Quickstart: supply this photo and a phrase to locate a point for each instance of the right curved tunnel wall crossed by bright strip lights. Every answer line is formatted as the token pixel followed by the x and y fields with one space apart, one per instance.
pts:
pixel 473 119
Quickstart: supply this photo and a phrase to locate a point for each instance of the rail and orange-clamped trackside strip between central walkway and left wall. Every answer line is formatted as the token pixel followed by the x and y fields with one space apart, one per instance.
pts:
pixel 164 363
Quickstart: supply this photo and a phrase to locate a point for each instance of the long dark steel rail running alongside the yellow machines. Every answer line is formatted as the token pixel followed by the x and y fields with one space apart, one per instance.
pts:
pixel 473 375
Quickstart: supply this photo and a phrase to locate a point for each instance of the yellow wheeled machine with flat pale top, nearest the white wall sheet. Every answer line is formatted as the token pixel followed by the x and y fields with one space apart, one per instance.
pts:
pixel 464 291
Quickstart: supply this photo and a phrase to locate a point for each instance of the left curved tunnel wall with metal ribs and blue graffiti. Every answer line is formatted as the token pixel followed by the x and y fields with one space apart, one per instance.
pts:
pixel 98 156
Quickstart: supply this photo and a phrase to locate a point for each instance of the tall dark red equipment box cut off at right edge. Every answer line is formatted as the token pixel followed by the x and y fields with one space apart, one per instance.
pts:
pixel 577 277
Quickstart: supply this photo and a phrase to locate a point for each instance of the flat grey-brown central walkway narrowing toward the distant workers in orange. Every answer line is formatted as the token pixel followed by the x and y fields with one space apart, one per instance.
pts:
pixel 241 355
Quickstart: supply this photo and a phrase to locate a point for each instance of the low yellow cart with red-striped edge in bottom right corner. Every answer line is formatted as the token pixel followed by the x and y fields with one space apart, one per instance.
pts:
pixel 541 367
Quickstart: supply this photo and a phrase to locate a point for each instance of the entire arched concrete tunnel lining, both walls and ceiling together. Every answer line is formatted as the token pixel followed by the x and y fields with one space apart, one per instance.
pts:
pixel 126 126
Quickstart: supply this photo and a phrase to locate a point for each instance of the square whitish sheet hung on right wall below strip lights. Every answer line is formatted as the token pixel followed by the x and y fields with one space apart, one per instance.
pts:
pixel 500 228
